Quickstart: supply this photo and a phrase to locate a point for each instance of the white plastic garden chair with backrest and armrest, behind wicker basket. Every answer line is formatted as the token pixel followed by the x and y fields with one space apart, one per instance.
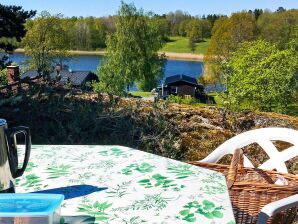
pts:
pixel 264 138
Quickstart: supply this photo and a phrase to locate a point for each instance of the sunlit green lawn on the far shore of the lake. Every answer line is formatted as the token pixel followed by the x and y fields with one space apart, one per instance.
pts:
pixel 180 45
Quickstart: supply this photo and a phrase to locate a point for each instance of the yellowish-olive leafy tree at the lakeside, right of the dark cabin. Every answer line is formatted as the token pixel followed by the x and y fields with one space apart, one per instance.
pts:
pixel 227 36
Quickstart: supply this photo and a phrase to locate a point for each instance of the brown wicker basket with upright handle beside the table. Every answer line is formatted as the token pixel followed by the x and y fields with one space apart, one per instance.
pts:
pixel 251 189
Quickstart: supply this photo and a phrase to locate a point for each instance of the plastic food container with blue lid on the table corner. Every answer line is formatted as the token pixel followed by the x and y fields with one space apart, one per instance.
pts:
pixel 30 208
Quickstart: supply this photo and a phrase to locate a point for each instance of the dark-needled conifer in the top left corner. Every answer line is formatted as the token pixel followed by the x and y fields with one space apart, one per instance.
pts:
pixel 12 19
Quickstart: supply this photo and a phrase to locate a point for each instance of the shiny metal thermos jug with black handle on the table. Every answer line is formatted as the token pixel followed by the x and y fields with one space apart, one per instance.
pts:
pixel 9 169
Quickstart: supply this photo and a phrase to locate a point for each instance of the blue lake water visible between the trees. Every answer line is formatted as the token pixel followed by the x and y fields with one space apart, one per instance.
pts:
pixel 91 62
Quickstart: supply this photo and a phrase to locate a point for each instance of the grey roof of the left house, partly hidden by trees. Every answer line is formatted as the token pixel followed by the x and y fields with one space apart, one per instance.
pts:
pixel 75 77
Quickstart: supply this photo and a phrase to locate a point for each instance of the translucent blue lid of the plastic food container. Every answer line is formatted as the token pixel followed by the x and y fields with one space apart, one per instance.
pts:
pixel 25 205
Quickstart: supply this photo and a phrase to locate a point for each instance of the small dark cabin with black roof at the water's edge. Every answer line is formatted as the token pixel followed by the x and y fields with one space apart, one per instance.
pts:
pixel 181 85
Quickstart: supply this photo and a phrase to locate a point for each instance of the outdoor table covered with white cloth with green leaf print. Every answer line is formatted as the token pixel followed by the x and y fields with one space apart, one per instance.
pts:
pixel 115 184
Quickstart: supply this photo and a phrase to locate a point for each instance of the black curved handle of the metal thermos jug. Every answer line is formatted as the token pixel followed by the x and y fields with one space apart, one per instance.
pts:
pixel 10 134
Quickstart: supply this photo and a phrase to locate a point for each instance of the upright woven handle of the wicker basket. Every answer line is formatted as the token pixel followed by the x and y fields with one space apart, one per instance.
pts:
pixel 236 166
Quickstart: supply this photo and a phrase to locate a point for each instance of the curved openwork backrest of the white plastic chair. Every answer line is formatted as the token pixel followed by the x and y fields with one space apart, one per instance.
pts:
pixel 264 138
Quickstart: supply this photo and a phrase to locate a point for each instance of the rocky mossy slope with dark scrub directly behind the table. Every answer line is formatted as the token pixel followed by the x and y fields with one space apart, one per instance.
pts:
pixel 64 116
